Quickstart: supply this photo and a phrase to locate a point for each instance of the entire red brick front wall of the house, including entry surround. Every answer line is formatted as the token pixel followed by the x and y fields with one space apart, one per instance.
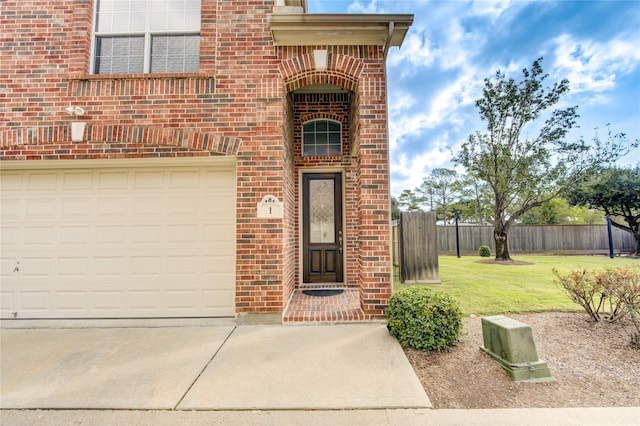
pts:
pixel 235 105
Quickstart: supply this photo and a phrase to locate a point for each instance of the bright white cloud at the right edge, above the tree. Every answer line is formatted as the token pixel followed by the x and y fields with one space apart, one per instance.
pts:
pixel 591 66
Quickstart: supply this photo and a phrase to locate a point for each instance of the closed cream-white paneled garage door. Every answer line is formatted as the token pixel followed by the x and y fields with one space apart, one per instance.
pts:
pixel 118 240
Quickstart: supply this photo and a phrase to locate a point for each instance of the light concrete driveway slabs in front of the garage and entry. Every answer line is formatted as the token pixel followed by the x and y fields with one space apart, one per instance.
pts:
pixel 206 367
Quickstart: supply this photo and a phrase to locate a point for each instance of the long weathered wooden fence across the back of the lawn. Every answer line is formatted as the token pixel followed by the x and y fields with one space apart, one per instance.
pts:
pixel 562 239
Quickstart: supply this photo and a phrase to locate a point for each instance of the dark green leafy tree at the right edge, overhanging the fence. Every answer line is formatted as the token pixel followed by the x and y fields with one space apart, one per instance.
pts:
pixel 615 191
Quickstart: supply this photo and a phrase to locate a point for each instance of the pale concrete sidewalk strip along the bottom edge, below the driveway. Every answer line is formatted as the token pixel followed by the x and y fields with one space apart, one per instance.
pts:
pixel 387 417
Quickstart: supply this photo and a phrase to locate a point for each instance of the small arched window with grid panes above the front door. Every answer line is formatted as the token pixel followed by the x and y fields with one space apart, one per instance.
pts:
pixel 322 138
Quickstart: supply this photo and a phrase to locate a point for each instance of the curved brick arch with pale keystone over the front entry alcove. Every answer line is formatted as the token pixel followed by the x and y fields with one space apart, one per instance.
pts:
pixel 342 70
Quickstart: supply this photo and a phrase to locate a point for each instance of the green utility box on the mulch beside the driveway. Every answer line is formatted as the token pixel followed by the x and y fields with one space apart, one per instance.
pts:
pixel 510 343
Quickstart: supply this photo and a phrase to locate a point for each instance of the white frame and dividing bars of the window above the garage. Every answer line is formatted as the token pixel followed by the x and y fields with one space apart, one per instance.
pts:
pixel 147 34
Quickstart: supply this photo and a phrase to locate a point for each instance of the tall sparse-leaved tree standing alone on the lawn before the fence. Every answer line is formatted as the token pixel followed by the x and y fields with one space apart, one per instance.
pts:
pixel 525 172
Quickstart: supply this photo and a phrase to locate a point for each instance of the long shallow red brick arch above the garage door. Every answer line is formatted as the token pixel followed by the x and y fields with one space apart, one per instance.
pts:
pixel 111 141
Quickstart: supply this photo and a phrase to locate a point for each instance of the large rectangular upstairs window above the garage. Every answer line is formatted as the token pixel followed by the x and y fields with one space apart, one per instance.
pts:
pixel 142 36
